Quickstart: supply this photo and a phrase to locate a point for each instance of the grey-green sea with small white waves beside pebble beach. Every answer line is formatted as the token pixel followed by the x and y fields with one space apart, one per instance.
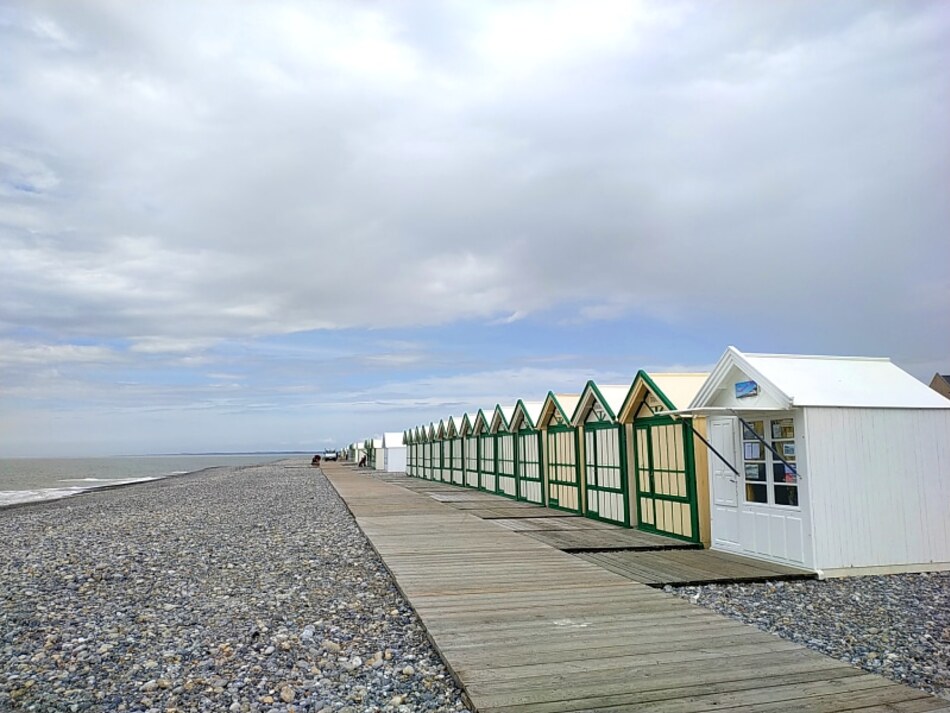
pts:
pixel 25 480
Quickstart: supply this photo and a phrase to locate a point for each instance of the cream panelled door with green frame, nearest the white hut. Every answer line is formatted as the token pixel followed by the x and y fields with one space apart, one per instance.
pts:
pixel 666 481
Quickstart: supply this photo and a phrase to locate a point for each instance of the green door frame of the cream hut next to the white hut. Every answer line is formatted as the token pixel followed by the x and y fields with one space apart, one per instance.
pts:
pixel 689 461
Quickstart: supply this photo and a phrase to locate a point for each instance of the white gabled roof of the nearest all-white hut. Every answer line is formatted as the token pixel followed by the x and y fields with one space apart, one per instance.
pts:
pixel 786 380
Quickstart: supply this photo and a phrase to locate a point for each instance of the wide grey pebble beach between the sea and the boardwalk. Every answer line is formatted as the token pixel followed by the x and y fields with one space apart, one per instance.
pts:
pixel 236 589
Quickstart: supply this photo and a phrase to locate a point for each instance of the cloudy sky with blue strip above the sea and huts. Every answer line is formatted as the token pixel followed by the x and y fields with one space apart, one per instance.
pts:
pixel 292 225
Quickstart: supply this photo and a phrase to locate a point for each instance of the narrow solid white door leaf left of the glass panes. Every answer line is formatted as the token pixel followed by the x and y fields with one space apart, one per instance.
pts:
pixel 725 484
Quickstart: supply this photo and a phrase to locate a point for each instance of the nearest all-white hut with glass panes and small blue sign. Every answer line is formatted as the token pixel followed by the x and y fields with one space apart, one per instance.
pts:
pixel 835 464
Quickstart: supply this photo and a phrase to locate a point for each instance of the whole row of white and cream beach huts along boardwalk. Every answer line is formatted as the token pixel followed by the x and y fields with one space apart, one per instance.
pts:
pixel 839 465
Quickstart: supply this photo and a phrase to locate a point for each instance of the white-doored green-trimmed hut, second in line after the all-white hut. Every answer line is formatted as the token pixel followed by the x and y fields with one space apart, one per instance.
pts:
pixel 606 485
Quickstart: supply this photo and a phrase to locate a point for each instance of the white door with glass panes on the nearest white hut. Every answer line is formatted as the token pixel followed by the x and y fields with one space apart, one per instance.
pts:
pixel 773 523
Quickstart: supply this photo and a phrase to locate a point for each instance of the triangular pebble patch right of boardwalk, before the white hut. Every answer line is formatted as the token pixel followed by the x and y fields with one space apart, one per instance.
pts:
pixel 895 625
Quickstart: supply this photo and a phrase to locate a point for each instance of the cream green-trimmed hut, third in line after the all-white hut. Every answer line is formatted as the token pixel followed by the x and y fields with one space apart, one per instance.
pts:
pixel 563 474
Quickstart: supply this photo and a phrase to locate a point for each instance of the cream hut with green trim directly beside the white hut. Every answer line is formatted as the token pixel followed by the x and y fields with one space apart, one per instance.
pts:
pixel 668 473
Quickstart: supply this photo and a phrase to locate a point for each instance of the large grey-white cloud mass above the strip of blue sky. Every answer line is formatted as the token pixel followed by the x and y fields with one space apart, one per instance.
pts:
pixel 666 163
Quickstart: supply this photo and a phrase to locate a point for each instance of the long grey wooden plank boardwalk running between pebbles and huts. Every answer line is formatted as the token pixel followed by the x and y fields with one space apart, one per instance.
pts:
pixel 527 628
